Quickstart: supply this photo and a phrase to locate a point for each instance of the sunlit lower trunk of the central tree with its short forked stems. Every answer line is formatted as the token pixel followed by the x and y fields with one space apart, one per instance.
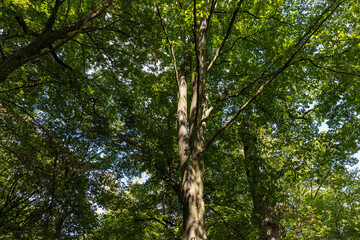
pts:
pixel 192 164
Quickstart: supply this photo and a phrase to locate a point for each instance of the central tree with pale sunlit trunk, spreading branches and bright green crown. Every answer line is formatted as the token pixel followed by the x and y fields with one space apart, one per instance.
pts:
pixel 212 34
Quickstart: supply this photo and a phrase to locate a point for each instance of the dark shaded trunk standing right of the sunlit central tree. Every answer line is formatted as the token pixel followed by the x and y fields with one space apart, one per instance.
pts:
pixel 263 209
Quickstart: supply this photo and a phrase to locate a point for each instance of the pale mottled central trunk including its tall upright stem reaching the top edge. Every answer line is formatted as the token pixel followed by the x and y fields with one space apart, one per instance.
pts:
pixel 192 163
